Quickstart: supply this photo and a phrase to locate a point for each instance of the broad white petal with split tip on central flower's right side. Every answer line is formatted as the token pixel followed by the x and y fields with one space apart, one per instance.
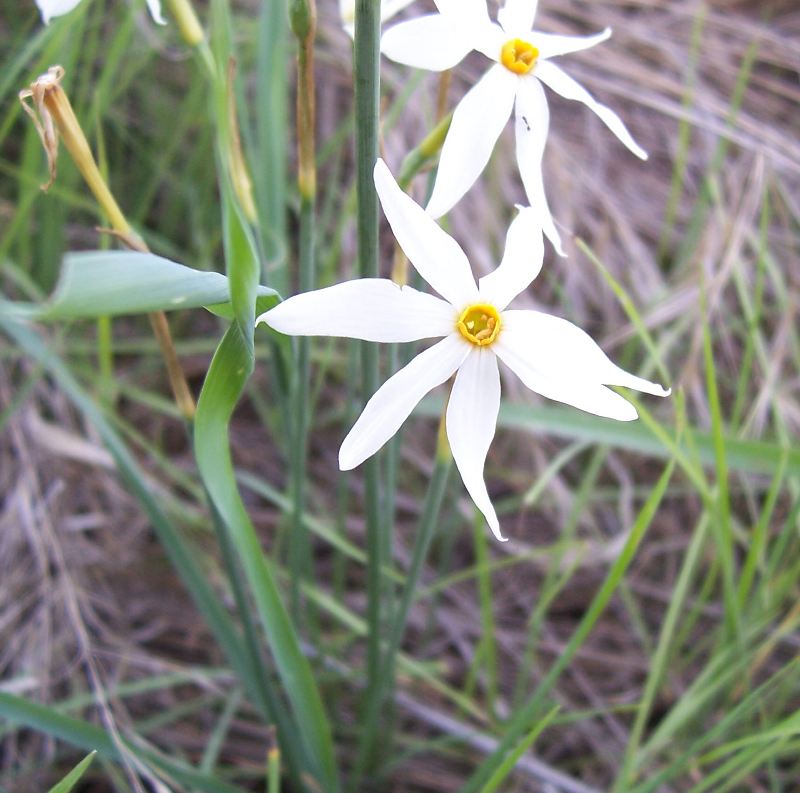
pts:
pixel 560 361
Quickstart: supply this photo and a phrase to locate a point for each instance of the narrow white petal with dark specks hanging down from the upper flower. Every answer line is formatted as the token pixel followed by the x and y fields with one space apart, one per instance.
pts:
pixel 531 123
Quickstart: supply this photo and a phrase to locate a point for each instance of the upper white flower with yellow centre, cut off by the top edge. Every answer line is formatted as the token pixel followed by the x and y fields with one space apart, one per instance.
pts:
pixel 523 62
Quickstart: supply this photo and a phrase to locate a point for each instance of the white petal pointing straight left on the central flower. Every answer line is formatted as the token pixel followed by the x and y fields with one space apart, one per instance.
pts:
pixel 373 309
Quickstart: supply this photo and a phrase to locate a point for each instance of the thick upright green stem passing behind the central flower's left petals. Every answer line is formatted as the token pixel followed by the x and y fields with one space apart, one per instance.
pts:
pixel 367 95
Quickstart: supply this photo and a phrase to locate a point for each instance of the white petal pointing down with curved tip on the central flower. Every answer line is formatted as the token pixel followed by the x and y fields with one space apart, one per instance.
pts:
pixel 471 423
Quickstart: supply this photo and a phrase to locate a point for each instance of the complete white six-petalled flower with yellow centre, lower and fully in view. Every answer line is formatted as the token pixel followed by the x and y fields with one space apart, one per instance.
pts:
pixel 550 355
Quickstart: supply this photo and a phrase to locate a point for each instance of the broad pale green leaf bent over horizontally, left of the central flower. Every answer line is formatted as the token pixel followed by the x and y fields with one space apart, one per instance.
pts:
pixel 108 283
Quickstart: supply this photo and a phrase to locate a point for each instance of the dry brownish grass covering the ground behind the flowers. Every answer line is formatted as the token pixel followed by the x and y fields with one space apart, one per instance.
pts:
pixel 88 601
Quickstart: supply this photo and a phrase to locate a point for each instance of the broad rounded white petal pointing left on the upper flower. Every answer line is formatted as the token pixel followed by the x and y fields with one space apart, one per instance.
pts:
pixel 430 42
